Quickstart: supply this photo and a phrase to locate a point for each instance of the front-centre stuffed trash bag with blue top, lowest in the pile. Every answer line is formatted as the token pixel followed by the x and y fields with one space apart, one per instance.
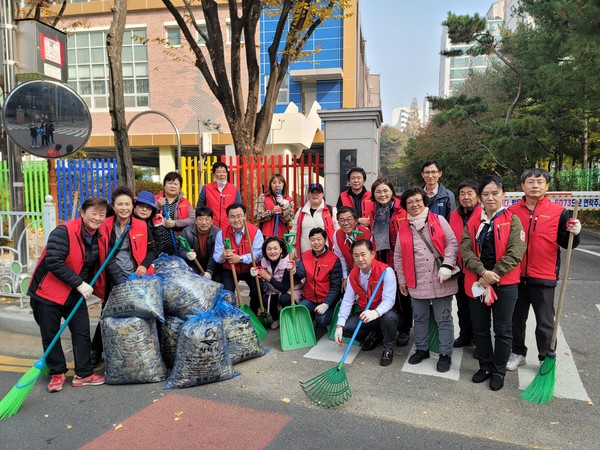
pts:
pixel 201 353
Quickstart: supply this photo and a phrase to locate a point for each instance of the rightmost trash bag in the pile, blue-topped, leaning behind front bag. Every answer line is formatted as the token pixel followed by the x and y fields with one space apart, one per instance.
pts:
pixel 241 339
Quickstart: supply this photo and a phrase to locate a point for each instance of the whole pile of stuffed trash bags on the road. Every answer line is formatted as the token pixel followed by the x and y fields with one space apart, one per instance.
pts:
pixel 174 319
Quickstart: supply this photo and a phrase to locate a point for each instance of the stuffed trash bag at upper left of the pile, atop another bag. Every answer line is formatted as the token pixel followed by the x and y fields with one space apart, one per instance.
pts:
pixel 137 297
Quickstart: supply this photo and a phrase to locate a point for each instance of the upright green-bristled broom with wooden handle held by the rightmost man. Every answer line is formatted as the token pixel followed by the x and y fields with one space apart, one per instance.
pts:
pixel 541 388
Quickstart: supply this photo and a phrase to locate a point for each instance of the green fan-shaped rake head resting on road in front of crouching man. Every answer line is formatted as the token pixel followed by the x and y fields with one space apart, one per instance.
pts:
pixel 329 389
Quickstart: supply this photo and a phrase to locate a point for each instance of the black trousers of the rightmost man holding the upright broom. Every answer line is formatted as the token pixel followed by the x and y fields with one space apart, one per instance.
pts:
pixel 541 298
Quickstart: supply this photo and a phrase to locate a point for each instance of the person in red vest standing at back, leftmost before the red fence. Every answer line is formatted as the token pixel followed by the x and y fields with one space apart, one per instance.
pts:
pixel 219 195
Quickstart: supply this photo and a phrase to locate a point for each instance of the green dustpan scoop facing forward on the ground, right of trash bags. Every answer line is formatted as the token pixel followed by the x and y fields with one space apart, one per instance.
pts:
pixel 296 329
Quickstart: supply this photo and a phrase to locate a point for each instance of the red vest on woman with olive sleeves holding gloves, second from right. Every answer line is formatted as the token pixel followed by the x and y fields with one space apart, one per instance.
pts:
pixel 502 225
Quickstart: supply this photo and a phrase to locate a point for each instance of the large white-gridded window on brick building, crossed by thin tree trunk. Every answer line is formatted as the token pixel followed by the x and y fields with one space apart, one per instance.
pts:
pixel 88 68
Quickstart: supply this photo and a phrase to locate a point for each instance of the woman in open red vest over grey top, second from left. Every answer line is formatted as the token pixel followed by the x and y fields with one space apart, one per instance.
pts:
pixel 134 256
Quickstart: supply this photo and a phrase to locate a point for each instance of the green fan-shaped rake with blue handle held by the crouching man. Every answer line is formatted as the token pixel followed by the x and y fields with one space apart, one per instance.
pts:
pixel 331 388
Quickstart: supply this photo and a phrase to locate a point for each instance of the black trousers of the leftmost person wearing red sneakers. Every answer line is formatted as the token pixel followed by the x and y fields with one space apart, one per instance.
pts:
pixel 48 315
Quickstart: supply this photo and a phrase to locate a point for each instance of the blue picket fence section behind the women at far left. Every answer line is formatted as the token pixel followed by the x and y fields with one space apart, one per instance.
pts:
pixel 89 177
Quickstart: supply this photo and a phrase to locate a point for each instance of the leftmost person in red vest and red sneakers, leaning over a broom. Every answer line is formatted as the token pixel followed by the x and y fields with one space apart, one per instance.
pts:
pixel 61 277
